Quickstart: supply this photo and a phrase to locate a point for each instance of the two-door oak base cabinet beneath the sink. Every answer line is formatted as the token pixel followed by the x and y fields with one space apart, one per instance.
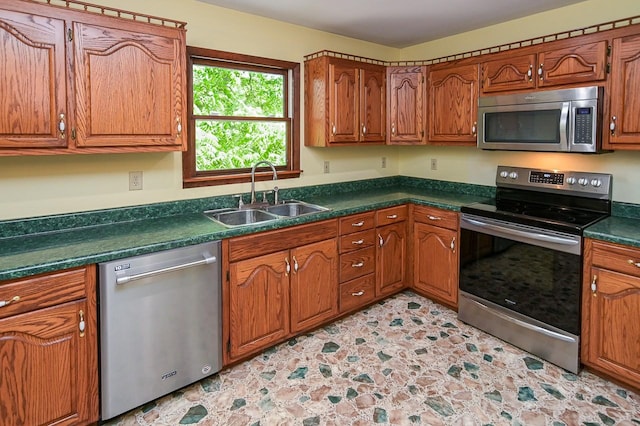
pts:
pixel 279 283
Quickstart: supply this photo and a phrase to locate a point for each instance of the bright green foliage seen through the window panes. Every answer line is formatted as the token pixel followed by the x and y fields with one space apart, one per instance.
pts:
pixel 240 118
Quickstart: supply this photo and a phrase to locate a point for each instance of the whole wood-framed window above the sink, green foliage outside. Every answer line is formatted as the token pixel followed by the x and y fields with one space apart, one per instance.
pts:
pixel 241 109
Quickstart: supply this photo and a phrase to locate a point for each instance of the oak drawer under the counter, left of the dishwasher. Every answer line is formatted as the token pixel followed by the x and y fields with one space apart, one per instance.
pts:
pixel 41 291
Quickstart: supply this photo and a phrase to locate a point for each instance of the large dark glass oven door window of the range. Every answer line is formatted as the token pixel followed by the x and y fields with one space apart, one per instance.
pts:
pixel 535 281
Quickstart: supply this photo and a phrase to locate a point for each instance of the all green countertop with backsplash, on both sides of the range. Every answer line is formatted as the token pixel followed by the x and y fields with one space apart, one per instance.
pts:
pixel 38 245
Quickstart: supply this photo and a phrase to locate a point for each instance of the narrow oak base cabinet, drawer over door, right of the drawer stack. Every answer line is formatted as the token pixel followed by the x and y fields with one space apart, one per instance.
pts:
pixel 391 250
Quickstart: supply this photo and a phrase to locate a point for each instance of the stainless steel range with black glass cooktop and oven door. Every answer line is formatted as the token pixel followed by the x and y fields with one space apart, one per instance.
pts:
pixel 521 258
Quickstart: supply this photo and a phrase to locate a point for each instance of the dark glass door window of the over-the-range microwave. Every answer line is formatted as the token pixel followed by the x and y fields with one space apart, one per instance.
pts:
pixel 531 126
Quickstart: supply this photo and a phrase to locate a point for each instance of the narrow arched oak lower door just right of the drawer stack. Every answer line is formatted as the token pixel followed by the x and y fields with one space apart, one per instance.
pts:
pixel 391 258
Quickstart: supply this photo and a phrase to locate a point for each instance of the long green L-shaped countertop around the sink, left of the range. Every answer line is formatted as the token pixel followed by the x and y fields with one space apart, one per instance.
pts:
pixel 38 252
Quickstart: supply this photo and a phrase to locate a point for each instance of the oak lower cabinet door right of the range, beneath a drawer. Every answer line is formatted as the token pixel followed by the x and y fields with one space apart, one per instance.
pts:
pixel 613 332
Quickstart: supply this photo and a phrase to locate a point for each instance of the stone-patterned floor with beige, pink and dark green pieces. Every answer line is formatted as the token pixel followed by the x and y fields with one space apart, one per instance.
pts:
pixel 403 361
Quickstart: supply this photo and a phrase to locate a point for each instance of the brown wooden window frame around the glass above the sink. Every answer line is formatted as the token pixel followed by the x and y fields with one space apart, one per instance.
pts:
pixel 191 177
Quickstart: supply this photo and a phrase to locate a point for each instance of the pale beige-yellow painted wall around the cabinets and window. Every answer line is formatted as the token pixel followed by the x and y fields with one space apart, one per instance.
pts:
pixel 35 186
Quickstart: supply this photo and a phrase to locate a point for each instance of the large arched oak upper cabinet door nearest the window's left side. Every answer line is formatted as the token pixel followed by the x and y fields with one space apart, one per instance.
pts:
pixel 129 88
